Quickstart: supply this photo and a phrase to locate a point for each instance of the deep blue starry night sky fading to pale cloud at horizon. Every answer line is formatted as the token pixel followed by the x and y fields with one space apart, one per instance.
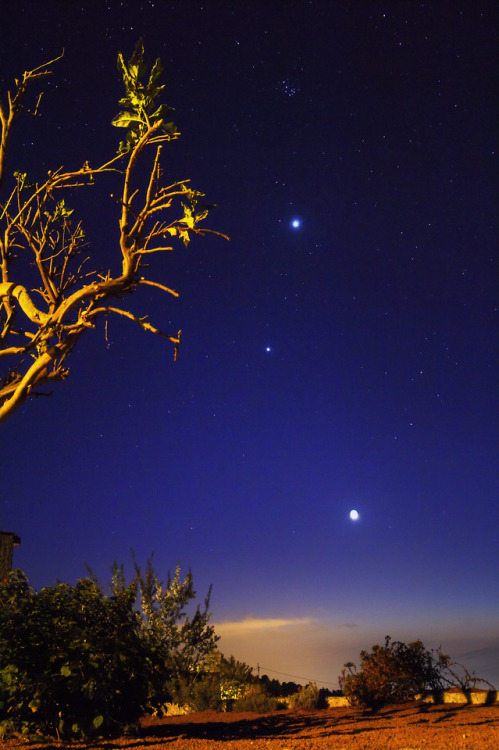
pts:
pixel 339 353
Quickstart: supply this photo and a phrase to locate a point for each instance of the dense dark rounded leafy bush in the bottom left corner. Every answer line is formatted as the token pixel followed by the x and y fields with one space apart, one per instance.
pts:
pixel 71 659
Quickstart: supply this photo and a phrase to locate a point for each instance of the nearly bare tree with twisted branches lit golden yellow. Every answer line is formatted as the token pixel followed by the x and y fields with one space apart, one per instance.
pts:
pixel 42 321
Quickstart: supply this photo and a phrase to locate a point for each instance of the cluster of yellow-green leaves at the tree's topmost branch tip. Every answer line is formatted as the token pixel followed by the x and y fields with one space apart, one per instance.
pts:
pixel 140 110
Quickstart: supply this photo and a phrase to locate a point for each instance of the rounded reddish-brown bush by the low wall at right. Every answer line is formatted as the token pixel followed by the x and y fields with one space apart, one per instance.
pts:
pixel 393 673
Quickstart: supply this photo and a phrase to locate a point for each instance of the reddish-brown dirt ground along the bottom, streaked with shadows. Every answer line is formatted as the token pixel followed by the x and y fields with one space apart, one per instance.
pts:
pixel 414 727
